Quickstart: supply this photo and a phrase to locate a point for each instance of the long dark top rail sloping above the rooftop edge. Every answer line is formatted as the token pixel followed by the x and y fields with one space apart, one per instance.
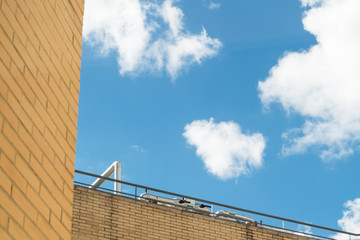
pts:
pixel 220 204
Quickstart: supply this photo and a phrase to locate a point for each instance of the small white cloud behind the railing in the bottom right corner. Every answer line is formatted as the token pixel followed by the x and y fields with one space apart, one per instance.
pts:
pixel 350 222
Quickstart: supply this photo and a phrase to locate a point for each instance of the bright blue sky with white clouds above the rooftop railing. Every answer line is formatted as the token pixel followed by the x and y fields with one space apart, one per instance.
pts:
pixel 248 103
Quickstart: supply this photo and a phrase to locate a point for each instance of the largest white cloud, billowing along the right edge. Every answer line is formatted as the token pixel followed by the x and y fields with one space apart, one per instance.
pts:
pixel 322 83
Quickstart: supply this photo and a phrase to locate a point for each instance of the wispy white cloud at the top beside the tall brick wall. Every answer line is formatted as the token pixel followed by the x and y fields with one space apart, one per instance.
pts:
pixel 146 35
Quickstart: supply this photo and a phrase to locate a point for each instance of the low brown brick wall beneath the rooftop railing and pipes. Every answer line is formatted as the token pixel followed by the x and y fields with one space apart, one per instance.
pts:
pixel 100 215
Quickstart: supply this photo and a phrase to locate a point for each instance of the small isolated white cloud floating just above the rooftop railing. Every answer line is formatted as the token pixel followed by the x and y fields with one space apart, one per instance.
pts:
pixel 224 149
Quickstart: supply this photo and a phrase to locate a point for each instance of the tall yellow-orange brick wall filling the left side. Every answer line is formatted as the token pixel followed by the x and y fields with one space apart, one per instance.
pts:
pixel 40 53
